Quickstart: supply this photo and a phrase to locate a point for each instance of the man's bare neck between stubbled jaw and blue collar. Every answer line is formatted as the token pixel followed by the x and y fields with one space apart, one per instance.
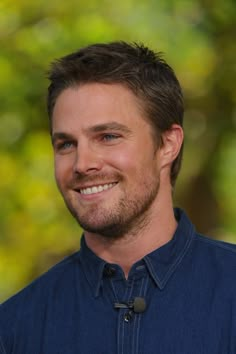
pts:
pixel 132 247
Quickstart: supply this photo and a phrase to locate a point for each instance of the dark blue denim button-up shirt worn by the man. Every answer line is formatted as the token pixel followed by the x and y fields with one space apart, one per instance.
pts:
pixel 189 286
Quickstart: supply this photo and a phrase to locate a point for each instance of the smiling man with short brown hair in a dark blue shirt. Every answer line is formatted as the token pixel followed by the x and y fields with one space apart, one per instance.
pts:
pixel 144 282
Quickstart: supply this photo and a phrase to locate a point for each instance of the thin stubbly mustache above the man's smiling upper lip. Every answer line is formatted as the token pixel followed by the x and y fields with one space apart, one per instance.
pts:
pixel 81 178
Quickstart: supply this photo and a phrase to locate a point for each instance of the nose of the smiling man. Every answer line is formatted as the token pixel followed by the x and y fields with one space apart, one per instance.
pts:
pixel 87 160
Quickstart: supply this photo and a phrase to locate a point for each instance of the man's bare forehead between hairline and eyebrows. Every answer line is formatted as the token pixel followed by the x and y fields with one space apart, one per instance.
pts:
pixel 97 103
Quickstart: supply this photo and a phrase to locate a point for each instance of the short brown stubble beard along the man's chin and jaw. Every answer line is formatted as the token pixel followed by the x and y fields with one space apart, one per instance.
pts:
pixel 128 216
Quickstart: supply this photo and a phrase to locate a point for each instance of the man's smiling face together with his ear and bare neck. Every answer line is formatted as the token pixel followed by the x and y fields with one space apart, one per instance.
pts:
pixel 109 181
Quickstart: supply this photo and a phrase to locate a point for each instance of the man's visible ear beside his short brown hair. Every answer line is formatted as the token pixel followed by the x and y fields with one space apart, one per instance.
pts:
pixel 172 141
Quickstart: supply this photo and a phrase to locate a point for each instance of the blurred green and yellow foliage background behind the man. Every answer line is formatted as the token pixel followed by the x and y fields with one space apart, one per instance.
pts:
pixel 198 39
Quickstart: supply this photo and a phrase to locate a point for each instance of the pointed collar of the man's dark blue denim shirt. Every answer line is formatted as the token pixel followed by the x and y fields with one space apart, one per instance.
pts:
pixel 160 263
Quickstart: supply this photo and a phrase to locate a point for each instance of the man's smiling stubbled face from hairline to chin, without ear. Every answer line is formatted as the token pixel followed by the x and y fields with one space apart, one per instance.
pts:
pixel 106 164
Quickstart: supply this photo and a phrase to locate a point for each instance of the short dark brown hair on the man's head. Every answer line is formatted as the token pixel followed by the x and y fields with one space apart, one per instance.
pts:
pixel 135 66
